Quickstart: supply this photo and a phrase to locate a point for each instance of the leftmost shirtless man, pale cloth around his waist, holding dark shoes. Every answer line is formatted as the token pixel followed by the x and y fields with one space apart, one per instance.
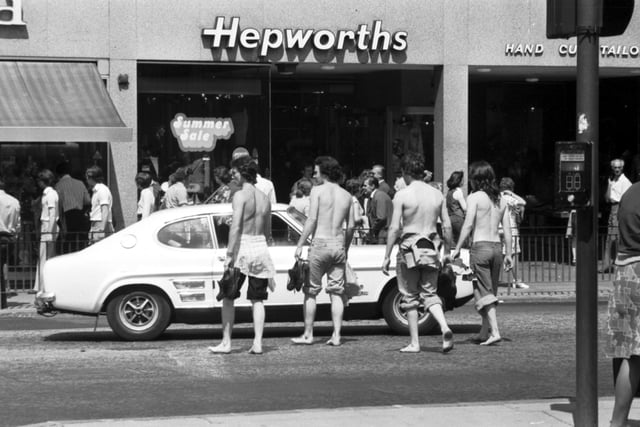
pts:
pixel 248 251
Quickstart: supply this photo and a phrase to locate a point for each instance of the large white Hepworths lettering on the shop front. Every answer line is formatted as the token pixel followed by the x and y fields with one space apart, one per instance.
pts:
pixel 268 39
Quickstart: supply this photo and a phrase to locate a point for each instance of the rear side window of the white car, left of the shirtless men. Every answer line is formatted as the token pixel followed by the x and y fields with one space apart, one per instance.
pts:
pixel 192 233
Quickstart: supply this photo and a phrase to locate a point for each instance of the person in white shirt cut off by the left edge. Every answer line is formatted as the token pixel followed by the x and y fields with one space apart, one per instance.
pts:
pixel 9 229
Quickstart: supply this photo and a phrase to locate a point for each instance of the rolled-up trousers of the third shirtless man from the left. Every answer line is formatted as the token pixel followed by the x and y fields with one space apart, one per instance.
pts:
pixel 418 286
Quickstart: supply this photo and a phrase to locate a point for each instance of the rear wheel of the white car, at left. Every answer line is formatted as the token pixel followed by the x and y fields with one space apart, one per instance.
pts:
pixel 139 315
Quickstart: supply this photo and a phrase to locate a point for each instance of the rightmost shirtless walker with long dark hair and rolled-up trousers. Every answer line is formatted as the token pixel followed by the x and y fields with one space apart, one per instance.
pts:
pixel 485 211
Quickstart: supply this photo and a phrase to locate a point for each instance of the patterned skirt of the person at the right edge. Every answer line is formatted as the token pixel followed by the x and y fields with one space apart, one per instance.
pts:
pixel 623 323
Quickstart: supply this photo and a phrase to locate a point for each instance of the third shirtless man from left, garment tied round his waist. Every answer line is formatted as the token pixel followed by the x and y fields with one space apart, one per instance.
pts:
pixel 416 209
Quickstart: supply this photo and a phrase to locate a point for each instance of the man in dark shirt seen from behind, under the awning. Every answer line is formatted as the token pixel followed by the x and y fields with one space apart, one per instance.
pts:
pixel 74 198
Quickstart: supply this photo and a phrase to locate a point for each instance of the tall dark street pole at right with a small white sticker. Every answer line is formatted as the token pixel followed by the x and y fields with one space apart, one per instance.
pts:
pixel 587 115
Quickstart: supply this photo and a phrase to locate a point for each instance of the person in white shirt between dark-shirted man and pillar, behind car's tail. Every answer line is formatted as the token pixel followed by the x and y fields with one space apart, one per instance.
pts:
pixel 101 205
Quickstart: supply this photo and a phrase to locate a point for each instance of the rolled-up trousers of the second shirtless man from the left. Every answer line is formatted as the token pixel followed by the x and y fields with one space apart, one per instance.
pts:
pixel 326 256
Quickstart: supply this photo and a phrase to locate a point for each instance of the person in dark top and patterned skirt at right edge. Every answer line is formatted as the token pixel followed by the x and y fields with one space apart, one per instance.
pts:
pixel 624 307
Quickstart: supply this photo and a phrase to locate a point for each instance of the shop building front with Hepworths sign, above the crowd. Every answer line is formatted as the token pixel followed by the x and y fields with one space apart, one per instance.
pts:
pixel 364 81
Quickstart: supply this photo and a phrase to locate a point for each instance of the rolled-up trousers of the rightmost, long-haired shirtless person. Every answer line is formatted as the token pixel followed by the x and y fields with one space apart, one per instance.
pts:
pixel 485 260
